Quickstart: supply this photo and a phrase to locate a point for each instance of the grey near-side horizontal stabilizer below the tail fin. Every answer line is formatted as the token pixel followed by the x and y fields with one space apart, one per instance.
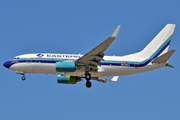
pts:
pixel 164 58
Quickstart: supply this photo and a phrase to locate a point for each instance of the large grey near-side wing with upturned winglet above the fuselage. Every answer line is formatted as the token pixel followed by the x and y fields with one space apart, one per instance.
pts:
pixel 94 57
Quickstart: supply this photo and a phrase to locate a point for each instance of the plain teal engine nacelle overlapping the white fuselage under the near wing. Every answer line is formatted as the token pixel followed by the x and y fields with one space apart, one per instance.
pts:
pixel 65 66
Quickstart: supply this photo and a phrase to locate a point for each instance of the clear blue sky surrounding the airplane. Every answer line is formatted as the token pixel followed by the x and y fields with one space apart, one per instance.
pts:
pixel 73 27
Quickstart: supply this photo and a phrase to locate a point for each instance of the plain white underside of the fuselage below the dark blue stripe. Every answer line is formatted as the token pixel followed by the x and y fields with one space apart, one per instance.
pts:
pixel 50 68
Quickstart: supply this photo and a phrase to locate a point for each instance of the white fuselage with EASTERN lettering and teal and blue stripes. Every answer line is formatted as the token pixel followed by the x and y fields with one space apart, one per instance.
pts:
pixel 111 66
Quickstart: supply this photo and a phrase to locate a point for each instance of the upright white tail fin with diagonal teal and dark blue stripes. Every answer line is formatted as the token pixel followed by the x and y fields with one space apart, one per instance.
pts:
pixel 160 44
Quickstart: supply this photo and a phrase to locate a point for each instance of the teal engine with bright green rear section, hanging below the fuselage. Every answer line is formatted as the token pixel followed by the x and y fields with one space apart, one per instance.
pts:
pixel 67 79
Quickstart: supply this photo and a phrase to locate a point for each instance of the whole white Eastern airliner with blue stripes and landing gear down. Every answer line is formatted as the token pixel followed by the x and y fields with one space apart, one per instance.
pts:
pixel 94 65
